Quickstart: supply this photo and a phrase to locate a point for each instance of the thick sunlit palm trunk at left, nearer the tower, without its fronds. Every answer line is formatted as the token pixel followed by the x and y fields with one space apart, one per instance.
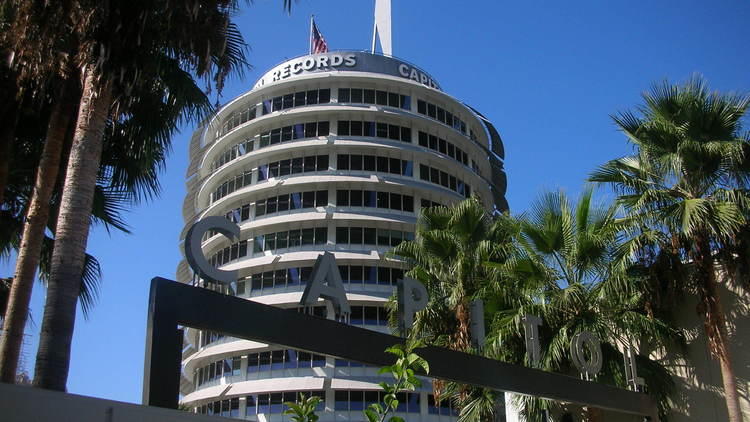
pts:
pixel 53 356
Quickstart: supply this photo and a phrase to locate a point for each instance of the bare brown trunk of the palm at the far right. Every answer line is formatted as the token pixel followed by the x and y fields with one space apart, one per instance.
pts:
pixel 715 325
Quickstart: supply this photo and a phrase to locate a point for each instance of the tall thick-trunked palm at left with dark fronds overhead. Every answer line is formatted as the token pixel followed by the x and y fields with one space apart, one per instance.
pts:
pixel 115 49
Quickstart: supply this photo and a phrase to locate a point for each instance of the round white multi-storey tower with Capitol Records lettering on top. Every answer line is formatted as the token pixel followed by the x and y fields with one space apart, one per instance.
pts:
pixel 333 152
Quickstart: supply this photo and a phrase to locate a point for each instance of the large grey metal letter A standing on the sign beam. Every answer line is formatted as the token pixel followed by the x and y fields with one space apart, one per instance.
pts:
pixel 325 281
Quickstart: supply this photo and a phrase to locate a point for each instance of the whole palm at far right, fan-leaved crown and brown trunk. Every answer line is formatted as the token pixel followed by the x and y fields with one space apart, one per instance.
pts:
pixel 685 191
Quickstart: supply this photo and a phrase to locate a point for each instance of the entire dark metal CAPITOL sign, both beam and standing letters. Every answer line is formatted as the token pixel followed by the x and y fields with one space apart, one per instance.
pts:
pixel 173 303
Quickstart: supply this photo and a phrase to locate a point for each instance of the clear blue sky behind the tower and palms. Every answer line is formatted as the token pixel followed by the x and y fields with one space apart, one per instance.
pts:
pixel 548 74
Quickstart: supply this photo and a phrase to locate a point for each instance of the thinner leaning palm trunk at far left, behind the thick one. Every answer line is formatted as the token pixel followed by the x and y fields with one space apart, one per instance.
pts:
pixel 37 217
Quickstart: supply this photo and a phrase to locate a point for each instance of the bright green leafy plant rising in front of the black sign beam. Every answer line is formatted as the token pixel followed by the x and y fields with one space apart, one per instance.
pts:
pixel 403 371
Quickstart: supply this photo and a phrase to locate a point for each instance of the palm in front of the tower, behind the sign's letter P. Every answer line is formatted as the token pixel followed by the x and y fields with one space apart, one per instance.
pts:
pixel 446 255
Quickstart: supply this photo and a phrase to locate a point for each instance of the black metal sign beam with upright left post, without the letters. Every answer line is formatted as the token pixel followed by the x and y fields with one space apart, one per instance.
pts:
pixel 173 304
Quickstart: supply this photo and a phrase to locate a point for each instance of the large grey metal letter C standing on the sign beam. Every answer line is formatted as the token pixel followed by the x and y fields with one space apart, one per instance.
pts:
pixel 194 253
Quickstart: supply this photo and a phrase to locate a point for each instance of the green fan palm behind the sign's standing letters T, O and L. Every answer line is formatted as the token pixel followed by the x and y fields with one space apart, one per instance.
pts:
pixel 567 273
